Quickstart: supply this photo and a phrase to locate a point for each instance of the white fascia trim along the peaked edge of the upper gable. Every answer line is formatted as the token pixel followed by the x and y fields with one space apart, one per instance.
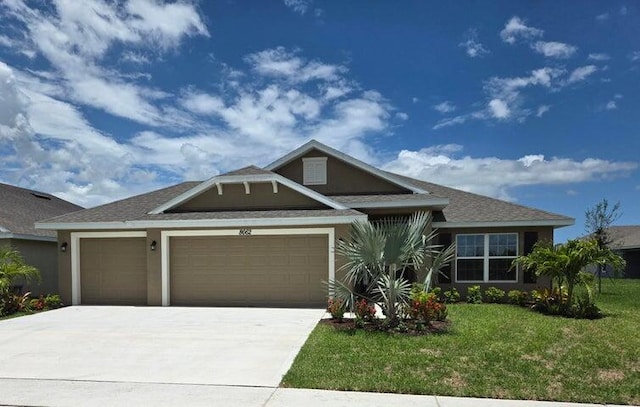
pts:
pixel 316 145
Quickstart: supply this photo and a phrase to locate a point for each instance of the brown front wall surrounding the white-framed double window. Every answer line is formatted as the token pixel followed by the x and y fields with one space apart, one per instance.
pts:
pixel 544 234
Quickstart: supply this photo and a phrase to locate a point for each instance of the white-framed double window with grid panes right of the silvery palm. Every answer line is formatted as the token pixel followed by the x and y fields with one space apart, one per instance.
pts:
pixel 486 257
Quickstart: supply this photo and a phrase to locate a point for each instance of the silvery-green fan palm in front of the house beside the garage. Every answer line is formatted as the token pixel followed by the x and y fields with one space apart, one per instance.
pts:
pixel 377 256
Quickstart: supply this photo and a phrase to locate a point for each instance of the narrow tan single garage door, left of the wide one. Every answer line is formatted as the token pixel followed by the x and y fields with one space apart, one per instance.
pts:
pixel 113 271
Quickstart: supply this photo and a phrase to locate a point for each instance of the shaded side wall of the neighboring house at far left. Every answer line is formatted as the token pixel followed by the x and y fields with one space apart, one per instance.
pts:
pixel 42 255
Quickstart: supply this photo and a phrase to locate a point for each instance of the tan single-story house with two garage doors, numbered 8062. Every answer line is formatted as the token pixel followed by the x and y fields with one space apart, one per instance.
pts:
pixel 266 236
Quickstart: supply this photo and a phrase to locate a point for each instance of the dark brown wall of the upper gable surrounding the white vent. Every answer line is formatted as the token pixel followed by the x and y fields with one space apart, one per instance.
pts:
pixel 342 178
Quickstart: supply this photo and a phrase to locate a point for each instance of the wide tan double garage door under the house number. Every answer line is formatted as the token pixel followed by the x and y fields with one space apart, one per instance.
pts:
pixel 249 270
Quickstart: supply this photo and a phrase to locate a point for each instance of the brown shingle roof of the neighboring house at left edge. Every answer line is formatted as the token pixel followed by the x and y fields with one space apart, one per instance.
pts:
pixel 21 208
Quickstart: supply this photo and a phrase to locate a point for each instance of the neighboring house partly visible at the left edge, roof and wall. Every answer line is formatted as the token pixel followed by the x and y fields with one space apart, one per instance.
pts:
pixel 19 210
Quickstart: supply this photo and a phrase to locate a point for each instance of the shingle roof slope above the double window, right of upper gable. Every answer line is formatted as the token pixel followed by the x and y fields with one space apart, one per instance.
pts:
pixel 469 207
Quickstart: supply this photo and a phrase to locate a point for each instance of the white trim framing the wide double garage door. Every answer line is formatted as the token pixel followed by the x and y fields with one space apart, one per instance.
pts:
pixel 165 250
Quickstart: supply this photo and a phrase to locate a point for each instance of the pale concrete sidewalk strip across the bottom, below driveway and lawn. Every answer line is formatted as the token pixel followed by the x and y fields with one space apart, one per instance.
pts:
pixel 64 393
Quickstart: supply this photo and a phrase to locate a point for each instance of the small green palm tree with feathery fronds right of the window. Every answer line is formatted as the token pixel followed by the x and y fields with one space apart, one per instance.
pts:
pixel 564 262
